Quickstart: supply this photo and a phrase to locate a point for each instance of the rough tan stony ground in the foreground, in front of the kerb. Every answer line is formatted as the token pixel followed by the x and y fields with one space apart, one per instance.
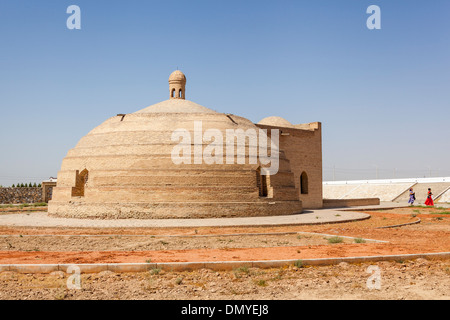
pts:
pixel 417 279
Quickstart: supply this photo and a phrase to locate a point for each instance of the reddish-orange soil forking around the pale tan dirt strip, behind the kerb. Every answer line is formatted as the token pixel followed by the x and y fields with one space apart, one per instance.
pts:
pixel 431 235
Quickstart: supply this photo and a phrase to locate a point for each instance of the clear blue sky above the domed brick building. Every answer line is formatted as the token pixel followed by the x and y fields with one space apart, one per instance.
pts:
pixel 382 95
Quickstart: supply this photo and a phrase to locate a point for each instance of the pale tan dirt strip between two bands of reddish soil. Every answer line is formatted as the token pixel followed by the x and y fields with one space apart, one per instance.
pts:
pixel 146 243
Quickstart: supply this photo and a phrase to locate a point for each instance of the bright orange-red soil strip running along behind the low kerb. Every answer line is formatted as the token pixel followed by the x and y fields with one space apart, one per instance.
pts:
pixel 199 255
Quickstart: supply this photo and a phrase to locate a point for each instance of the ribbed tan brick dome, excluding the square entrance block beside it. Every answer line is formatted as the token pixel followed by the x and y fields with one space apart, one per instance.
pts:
pixel 124 169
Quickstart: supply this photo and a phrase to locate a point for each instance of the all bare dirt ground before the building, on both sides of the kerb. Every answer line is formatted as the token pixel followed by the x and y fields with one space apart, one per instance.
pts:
pixel 418 279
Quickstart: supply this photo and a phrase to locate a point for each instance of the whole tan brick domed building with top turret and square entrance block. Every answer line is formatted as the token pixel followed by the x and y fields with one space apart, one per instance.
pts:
pixel 125 167
